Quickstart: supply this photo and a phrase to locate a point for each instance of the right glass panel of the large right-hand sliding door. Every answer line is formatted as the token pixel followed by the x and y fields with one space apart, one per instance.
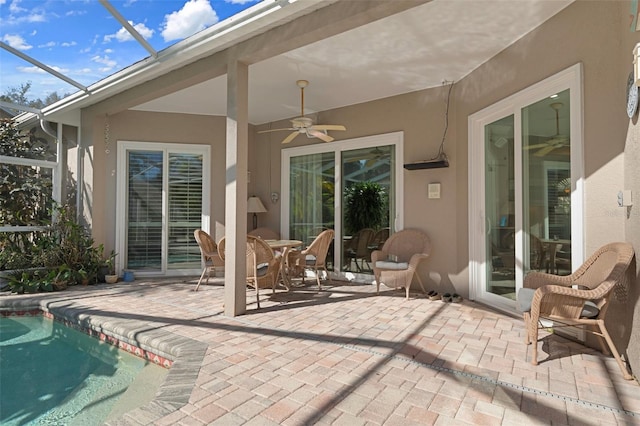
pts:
pixel 546 161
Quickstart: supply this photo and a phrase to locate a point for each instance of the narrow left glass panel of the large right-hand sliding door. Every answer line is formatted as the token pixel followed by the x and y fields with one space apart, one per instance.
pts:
pixel 500 207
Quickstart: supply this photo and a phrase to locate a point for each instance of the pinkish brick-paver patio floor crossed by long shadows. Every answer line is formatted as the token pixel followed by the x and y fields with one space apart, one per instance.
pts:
pixel 344 356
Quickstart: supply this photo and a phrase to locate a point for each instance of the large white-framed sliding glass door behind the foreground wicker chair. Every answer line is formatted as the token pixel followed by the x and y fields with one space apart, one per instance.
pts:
pixel 525 191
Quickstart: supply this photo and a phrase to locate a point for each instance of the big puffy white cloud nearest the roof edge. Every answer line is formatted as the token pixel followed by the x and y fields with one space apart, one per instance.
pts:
pixel 195 15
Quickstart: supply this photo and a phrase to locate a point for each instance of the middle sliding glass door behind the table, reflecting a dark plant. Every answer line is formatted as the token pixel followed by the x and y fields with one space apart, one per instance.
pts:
pixel 352 187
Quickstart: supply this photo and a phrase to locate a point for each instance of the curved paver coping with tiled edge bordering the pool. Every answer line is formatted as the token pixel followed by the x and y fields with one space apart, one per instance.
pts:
pixel 185 355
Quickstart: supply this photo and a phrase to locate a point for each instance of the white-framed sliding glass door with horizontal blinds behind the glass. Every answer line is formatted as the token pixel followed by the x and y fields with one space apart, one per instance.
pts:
pixel 165 192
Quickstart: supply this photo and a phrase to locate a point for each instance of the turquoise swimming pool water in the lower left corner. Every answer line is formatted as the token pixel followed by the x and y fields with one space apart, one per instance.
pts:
pixel 51 374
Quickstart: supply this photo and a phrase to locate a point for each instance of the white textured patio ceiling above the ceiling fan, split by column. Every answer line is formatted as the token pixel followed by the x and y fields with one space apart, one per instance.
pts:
pixel 412 50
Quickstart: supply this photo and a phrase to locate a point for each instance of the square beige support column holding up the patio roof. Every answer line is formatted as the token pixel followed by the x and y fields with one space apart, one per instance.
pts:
pixel 235 278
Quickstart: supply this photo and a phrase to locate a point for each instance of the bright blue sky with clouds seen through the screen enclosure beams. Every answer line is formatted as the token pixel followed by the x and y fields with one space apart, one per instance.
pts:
pixel 82 40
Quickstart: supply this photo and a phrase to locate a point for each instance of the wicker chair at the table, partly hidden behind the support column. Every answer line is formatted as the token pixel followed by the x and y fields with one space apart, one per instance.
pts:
pixel 263 266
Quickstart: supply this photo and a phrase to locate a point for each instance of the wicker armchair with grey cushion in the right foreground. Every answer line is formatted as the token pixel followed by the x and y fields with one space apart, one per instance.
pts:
pixel 579 299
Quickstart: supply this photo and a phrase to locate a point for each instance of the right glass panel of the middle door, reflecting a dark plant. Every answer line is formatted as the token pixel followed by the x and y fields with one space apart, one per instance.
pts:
pixel 367 179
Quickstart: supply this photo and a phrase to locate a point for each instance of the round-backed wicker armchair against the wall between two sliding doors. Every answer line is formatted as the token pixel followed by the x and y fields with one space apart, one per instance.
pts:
pixel 395 265
